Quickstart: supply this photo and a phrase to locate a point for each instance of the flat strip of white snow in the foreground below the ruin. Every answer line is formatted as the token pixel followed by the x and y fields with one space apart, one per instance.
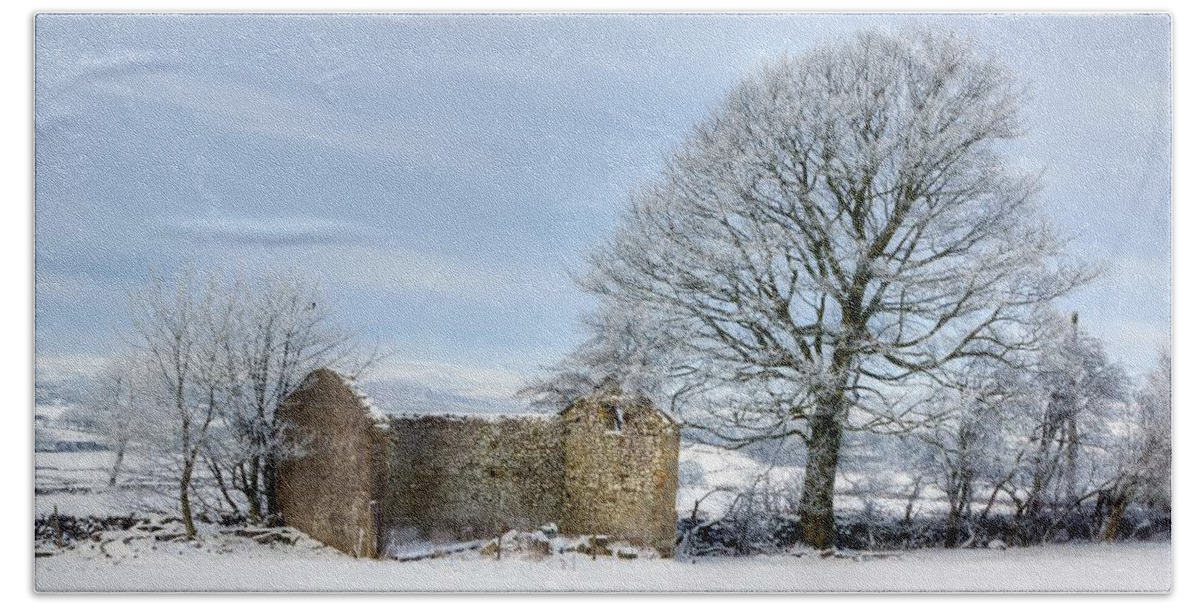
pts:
pixel 245 567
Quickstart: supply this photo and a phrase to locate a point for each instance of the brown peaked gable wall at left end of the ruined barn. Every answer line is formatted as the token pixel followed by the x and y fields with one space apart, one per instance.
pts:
pixel 329 487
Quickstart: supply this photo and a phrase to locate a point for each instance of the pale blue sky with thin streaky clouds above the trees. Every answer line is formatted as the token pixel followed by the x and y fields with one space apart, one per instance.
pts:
pixel 443 177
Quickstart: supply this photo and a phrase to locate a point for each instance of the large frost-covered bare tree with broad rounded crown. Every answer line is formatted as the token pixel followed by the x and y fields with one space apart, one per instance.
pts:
pixel 842 227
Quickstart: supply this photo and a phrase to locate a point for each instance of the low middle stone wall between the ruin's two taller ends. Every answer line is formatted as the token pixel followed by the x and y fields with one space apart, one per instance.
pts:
pixel 467 478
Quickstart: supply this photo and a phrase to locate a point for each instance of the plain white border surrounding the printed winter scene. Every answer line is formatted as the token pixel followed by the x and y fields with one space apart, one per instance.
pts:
pixel 17 272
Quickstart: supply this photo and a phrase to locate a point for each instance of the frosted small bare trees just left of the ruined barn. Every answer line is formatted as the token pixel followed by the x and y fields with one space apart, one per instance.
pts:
pixel 209 362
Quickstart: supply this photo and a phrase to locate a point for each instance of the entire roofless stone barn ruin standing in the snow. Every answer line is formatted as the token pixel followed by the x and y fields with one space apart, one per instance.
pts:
pixel 367 483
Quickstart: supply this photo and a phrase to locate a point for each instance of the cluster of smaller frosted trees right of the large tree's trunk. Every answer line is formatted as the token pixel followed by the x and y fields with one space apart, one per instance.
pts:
pixel 1067 443
